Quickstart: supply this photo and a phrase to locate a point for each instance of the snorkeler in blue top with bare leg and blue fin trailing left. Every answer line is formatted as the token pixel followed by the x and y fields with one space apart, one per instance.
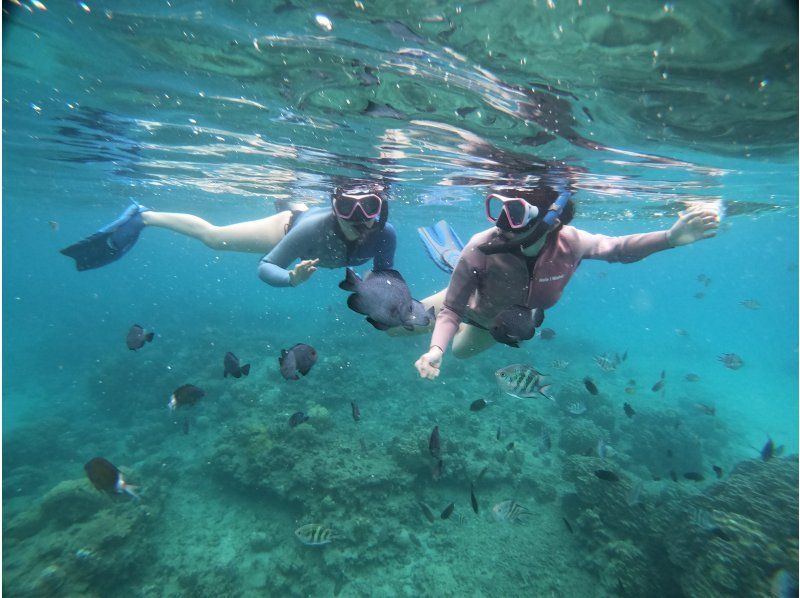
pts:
pixel 353 230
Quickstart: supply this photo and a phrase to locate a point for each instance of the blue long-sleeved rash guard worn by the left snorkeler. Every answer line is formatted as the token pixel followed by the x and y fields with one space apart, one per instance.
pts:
pixel 315 234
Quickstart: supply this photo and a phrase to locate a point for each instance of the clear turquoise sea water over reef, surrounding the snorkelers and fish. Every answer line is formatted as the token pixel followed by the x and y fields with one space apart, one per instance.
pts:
pixel 217 110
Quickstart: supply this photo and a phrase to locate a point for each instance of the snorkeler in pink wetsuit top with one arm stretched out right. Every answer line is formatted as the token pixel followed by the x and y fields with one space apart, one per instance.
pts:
pixel 527 259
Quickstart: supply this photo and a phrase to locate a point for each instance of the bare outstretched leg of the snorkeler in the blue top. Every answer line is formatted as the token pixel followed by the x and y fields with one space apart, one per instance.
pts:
pixel 255 236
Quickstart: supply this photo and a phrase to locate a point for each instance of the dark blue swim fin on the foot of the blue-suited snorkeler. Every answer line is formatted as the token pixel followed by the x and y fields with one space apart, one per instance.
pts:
pixel 109 243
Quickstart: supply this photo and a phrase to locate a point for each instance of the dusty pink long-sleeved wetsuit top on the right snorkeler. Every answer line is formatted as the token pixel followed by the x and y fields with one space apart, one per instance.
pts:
pixel 484 285
